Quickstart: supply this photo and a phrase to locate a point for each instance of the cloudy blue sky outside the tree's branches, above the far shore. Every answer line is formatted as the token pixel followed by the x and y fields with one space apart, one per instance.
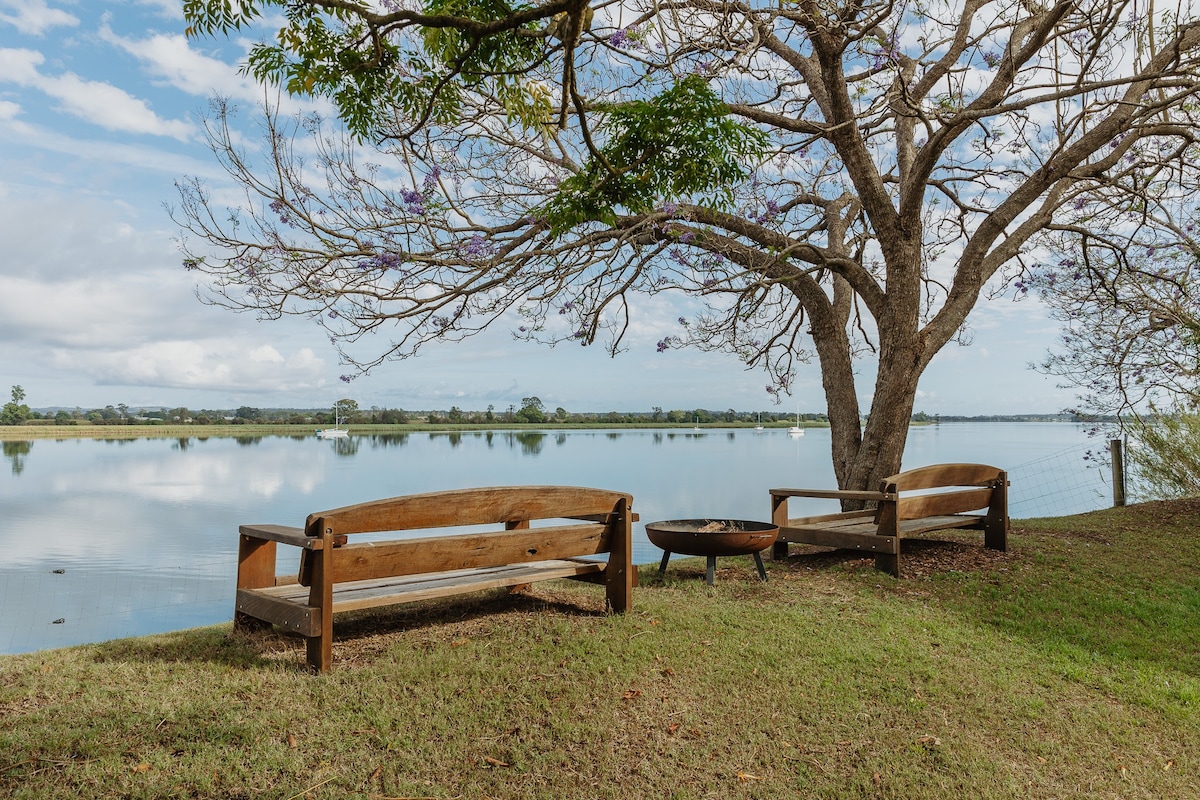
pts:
pixel 100 115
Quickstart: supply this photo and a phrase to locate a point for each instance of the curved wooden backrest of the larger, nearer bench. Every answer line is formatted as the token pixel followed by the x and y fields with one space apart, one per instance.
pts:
pixel 604 527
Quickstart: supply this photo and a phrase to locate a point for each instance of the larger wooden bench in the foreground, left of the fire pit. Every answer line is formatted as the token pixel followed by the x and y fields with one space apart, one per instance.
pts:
pixel 338 575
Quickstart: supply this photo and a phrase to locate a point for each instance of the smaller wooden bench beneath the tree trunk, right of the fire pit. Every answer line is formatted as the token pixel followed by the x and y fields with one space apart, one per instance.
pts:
pixel 916 502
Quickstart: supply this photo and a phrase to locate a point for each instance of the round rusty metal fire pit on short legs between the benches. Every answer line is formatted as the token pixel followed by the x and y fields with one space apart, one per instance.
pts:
pixel 712 538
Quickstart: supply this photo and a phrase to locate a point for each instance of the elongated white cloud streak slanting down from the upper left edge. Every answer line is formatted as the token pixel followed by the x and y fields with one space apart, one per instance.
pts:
pixel 98 103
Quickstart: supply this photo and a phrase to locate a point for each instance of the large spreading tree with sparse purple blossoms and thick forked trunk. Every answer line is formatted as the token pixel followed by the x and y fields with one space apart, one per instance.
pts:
pixel 830 179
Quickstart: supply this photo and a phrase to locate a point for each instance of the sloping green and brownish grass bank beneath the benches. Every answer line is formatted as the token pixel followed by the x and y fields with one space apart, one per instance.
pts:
pixel 1065 669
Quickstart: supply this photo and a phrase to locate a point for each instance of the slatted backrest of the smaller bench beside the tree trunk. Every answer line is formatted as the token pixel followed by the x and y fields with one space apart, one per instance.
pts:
pixel 968 488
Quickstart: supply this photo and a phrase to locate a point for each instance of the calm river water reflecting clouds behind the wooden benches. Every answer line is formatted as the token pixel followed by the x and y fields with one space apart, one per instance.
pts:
pixel 106 539
